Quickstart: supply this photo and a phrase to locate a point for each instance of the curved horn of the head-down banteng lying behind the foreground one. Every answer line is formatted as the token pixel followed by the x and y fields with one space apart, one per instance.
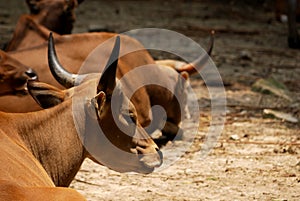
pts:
pixel 200 62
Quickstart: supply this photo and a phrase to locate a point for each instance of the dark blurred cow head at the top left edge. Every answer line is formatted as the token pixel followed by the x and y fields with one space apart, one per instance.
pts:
pixel 56 15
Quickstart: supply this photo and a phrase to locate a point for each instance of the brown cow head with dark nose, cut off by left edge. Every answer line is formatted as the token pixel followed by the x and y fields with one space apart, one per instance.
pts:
pixel 13 75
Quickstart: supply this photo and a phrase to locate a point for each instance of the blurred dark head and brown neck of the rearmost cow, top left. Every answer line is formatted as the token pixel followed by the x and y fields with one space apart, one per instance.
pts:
pixel 55 15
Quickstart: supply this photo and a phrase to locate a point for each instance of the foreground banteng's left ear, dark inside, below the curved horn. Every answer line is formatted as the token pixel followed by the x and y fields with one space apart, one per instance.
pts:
pixel 44 94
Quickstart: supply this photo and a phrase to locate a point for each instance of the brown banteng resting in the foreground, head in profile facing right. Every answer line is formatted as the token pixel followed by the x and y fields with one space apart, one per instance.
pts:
pixel 43 149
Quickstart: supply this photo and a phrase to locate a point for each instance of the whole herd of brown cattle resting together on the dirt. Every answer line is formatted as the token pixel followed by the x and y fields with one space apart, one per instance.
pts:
pixel 42 146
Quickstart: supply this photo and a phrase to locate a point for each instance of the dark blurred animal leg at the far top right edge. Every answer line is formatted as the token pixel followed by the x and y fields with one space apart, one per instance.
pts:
pixel 293 37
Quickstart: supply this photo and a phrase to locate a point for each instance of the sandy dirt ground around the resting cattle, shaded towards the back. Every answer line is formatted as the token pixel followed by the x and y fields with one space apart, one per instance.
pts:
pixel 257 157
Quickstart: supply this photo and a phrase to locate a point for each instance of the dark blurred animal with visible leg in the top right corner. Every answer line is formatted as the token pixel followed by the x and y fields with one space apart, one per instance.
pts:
pixel 289 10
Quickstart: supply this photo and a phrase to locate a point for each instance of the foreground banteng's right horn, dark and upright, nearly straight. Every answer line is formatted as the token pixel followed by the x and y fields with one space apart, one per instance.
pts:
pixel 107 81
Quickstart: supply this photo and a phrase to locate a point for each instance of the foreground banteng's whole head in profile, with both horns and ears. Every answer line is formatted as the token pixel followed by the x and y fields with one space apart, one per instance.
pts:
pixel 119 124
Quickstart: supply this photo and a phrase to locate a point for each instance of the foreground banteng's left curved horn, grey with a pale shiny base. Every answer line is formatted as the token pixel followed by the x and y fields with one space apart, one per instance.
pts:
pixel 64 77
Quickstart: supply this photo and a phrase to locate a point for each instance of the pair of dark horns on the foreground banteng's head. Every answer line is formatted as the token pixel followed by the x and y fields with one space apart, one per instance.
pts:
pixel 68 79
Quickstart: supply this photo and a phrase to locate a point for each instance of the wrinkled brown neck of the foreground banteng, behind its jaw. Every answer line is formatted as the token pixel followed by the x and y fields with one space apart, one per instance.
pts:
pixel 51 137
